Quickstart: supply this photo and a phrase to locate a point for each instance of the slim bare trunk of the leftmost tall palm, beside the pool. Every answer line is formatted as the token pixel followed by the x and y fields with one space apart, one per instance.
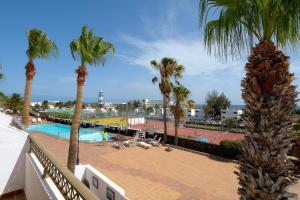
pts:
pixel 30 72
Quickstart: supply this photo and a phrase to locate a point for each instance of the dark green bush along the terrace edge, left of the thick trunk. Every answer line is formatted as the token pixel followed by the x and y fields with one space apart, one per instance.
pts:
pixel 230 149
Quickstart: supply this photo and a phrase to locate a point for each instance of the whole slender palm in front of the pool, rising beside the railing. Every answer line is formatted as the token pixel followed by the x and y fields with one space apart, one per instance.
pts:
pixel 93 50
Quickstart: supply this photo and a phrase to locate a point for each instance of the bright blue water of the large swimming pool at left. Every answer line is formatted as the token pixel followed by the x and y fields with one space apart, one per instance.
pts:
pixel 63 131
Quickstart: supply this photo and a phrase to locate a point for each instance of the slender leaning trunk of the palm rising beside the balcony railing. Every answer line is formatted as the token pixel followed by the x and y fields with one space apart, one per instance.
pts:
pixel 76 119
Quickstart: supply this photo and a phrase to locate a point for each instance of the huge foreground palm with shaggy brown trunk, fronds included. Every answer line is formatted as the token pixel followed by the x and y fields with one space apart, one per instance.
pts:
pixel 265 170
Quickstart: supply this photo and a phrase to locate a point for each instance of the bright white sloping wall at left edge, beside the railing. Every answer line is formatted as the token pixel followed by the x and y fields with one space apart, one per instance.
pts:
pixel 13 146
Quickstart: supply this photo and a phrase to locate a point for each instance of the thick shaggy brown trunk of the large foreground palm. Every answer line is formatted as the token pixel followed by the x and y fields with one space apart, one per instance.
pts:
pixel 265 171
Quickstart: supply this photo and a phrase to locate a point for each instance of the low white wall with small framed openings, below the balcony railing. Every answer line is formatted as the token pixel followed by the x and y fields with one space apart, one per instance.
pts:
pixel 87 172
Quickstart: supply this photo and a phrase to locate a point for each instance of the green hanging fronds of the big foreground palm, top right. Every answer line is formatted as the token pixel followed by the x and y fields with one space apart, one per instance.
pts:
pixel 232 26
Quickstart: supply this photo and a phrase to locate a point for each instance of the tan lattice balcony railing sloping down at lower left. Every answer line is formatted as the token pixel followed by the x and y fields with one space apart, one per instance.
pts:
pixel 70 187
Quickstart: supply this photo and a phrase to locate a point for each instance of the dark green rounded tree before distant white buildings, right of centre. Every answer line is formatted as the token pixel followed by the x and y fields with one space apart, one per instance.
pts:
pixel 214 103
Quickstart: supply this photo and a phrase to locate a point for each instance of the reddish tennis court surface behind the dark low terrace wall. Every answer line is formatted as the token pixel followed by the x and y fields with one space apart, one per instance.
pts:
pixel 214 137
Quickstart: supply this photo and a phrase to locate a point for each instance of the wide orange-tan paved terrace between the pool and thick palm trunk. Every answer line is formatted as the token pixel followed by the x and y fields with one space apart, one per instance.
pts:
pixel 155 173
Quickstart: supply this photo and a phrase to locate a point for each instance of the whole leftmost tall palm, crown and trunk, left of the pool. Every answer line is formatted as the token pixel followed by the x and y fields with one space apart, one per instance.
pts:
pixel 39 46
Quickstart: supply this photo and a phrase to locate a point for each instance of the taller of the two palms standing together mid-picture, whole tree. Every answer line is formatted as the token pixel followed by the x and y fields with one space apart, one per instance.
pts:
pixel 167 69
